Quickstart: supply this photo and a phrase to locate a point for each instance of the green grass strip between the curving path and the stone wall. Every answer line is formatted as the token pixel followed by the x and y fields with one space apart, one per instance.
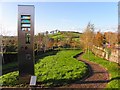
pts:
pixel 112 68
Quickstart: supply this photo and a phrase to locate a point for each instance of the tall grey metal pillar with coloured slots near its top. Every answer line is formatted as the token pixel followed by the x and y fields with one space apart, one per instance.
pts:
pixel 25 42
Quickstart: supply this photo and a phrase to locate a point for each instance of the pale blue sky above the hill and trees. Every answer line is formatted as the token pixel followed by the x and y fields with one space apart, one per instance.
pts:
pixel 64 16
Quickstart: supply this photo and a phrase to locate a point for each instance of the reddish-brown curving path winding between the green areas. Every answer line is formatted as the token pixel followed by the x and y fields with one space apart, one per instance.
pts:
pixel 97 78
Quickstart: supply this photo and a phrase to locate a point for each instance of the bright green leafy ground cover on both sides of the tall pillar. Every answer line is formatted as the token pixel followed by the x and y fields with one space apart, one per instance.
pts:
pixel 55 70
